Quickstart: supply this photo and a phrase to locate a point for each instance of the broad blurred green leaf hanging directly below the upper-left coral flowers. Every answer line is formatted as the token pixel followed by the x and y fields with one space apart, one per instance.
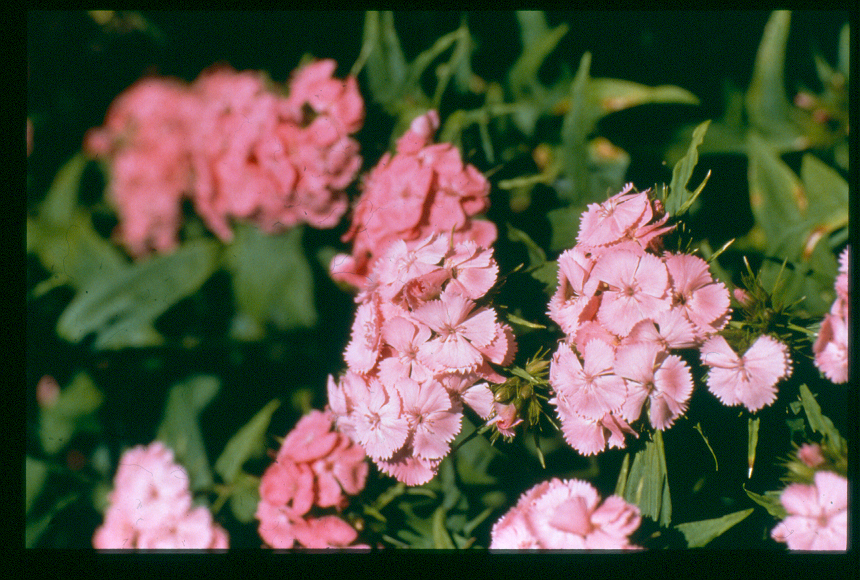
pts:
pixel 272 282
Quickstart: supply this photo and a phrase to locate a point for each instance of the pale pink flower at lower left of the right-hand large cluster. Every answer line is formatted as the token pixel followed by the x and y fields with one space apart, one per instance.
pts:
pixel 591 387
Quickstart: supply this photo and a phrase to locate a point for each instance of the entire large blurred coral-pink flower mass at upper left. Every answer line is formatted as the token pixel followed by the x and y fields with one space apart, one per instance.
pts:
pixel 235 147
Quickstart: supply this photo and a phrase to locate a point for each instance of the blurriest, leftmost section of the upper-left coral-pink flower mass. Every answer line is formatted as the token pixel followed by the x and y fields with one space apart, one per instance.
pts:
pixel 145 143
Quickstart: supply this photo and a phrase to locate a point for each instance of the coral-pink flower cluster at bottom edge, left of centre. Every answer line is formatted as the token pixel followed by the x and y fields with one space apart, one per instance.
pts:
pixel 314 467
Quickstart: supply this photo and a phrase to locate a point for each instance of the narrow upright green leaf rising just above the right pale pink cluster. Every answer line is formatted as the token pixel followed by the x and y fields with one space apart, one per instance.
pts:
pixel 575 129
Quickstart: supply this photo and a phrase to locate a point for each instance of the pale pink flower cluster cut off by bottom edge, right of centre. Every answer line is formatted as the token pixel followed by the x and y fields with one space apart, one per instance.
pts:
pixel 566 515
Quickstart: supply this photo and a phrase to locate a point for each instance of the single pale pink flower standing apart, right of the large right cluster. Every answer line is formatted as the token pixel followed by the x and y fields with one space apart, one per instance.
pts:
pixel 749 380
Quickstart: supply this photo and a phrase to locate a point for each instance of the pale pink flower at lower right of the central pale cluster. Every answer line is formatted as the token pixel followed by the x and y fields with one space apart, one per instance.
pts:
pixel 433 420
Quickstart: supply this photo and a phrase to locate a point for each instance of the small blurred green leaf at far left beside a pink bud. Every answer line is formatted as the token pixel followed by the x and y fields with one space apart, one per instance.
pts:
pixel 73 410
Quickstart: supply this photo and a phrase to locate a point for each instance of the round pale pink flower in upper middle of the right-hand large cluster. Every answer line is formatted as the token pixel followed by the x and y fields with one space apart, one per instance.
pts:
pixel 638 288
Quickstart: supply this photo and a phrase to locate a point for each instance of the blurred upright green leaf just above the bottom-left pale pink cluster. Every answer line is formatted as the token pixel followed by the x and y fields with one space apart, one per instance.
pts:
pixel 179 428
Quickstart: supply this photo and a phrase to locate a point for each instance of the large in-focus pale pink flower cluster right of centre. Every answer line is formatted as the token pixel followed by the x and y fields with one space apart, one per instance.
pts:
pixel 624 308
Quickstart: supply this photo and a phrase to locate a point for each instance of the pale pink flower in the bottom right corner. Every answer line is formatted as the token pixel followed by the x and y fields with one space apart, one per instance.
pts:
pixel 817 514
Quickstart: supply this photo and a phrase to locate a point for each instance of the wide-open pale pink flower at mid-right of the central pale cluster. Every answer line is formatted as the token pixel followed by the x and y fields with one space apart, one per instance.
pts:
pixel 460 331
